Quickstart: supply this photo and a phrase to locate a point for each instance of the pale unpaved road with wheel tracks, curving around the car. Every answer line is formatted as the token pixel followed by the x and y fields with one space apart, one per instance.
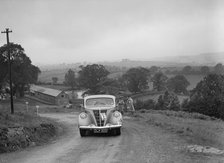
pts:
pixel 138 143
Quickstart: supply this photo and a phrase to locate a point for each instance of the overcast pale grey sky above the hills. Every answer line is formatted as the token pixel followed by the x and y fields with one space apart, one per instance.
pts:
pixel 70 31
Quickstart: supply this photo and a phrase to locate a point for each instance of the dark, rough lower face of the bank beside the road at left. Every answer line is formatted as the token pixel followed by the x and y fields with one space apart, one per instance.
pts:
pixel 14 138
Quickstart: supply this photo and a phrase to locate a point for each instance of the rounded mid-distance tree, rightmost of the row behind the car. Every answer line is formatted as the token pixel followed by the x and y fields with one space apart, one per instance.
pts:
pixel 178 84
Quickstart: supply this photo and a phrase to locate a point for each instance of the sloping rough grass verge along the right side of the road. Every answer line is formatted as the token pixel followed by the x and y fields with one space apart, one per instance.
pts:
pixel 194 127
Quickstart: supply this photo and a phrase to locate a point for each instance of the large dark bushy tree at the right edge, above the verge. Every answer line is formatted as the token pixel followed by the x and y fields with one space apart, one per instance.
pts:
pixel 208 96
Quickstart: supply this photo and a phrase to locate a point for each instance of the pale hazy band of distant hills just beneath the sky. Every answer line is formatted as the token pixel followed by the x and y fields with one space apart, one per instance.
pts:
pixel 209 59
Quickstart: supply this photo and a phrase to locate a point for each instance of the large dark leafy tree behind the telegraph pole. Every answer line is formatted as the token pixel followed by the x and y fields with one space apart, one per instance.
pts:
pixel 23 71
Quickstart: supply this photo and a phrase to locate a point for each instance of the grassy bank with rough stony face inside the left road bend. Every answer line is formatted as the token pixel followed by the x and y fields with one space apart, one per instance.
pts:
pixel 24 128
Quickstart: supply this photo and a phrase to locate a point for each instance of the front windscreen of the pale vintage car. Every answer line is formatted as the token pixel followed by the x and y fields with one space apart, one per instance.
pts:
pixel 99 102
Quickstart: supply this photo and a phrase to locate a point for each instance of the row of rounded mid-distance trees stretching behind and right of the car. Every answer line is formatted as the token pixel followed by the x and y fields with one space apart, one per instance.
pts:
pixel 136 80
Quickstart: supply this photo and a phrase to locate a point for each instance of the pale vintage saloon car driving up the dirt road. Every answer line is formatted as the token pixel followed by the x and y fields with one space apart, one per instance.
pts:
pixel 100 115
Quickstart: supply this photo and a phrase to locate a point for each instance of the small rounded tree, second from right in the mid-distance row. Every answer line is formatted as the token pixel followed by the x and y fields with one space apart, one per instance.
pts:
pixel 159 81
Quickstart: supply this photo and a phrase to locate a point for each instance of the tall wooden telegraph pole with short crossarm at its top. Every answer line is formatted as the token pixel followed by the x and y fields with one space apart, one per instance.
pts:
pixel 7 31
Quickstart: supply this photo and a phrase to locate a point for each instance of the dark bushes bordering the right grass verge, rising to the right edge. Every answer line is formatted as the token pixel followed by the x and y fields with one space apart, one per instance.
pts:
pixel 207 98
